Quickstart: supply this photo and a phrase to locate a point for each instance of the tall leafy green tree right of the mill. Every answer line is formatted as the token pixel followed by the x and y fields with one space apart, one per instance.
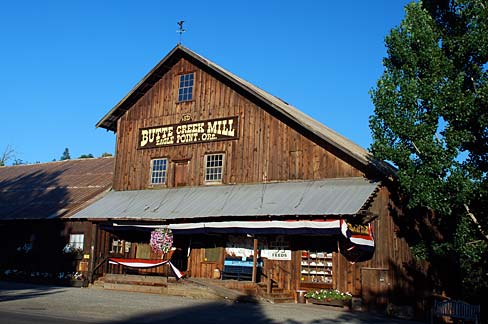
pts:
pixel 431 121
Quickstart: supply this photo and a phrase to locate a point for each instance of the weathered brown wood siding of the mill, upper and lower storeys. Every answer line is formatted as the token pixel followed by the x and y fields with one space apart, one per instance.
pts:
pixel 267 149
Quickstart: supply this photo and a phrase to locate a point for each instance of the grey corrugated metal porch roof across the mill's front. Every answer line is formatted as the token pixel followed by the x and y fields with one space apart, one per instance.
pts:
pixel 304 198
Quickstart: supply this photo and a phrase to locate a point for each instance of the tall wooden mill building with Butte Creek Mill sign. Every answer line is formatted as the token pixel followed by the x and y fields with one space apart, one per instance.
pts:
pixel 252 188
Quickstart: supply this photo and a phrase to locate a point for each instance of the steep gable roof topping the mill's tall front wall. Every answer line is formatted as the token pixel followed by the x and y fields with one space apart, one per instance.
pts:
pixel 282 108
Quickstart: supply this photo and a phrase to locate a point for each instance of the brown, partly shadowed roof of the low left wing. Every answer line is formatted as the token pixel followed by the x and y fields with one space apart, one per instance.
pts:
pixel 54 189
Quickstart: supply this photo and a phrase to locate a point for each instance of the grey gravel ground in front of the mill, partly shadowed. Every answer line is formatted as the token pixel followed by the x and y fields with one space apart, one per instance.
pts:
pixel 89 305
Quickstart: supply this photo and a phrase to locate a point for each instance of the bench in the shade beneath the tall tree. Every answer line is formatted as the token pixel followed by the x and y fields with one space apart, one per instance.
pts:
pixel 456 310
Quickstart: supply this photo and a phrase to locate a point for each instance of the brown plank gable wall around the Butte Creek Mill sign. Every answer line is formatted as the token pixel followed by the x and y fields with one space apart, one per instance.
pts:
pixel 267 149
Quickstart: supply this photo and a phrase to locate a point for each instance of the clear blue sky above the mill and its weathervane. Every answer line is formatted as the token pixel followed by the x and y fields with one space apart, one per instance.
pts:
pixel 65 64
